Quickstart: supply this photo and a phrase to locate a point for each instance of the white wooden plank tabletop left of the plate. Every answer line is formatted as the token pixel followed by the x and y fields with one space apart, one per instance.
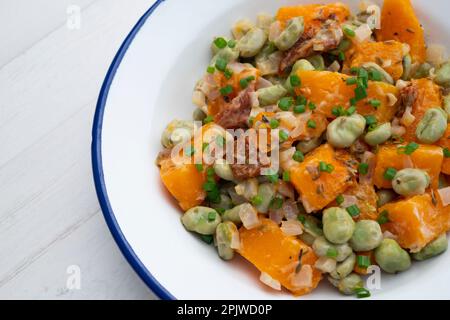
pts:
pixel 54 243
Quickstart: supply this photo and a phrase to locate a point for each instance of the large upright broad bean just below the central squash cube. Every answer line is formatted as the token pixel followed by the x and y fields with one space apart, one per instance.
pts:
pixel 338 225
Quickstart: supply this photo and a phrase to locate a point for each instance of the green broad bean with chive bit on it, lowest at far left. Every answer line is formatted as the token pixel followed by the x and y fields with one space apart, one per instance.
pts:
pixel 202 220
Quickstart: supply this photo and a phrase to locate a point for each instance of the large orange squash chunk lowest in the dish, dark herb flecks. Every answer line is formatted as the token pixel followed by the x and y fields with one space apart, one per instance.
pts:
pixel 276 254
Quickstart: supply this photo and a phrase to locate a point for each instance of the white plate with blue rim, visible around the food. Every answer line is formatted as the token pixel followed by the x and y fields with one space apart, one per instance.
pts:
pixel 150 82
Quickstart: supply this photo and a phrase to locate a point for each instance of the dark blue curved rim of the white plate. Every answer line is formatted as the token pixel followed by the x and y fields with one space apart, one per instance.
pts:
pixel 97 166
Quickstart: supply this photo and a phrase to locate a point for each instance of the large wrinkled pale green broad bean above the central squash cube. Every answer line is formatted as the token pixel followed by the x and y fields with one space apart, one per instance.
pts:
pixel 344 131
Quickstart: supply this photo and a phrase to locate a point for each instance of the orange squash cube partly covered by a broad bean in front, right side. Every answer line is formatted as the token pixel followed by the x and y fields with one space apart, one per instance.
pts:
pixel 426 157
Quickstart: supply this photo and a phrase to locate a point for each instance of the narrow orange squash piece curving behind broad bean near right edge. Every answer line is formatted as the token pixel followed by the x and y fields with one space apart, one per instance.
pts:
pixel 428 95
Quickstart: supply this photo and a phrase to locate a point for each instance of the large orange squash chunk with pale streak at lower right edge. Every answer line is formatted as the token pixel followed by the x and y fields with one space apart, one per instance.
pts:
pixel 416 221
